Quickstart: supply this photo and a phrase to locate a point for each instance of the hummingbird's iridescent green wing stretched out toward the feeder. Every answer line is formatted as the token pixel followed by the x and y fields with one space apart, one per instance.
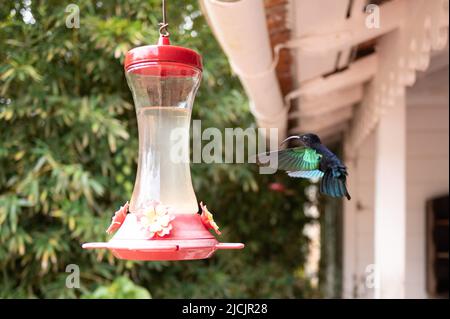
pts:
pixel 292 160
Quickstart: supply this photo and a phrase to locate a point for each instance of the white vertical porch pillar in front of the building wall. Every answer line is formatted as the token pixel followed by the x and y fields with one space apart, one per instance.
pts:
pixel 390 203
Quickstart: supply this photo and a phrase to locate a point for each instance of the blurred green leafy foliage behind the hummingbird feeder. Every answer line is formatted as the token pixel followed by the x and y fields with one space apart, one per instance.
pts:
pixel 68 154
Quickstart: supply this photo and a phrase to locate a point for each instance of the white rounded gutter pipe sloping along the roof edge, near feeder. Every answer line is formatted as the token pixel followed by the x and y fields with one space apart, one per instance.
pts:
pixel 241 29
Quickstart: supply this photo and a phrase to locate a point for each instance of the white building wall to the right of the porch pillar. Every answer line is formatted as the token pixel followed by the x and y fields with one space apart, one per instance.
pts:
pixel 427 167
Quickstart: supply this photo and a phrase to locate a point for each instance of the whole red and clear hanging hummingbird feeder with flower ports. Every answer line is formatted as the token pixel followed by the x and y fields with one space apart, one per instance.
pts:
pixel 162 222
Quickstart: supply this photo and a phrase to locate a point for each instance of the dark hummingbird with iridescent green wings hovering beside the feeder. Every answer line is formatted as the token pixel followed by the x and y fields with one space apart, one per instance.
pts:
pixel 313 160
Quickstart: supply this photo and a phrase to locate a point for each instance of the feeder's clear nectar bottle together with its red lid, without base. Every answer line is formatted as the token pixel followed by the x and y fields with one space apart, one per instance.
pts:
pixel 163 93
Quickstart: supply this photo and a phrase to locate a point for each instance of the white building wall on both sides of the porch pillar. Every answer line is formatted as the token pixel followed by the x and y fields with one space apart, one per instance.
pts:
pixel 427 170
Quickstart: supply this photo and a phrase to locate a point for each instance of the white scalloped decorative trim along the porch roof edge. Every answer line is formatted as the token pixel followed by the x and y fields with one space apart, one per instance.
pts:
pixel 401 53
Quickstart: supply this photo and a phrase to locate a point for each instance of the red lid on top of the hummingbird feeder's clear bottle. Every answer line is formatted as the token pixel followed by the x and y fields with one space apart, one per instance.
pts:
pixel 162 52
